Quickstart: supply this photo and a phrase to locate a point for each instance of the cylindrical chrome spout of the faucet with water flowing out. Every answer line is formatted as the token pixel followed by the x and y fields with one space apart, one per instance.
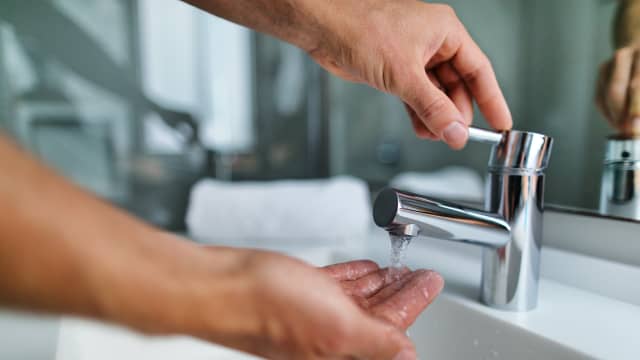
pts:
pixel 394 210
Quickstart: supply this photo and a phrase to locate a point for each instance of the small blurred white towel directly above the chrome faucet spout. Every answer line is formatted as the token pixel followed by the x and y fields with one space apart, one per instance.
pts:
pixel 450 183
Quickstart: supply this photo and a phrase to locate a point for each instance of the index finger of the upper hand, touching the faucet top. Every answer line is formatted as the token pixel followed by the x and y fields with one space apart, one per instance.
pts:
pixel 475 69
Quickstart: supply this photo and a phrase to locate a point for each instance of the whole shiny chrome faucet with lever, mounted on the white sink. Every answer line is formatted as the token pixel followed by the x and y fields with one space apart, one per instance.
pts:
pixel 510 227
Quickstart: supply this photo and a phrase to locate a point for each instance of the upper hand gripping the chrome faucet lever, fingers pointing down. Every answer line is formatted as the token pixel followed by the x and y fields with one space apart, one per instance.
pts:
pixel 419 52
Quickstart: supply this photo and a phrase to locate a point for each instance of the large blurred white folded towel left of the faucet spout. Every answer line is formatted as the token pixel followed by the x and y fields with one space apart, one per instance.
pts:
pixel 292 212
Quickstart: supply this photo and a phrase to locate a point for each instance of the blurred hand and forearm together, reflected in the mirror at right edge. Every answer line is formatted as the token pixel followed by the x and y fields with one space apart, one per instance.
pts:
pixel 618 87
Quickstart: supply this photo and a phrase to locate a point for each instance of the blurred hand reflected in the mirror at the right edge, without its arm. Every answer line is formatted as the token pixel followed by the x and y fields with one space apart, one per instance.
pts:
pixel 618 93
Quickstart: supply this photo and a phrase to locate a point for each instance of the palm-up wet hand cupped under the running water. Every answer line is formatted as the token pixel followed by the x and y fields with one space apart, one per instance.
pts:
pixel 278 307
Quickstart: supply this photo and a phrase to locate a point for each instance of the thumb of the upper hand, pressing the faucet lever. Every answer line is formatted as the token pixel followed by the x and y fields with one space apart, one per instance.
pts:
pixel 436 110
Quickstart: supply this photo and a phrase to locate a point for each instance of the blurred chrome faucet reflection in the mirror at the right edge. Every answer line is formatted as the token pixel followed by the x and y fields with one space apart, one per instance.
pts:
pixel 621 178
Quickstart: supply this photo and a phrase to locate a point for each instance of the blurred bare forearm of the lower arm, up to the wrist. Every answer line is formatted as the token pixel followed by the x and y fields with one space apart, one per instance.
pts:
pixel 65 251
